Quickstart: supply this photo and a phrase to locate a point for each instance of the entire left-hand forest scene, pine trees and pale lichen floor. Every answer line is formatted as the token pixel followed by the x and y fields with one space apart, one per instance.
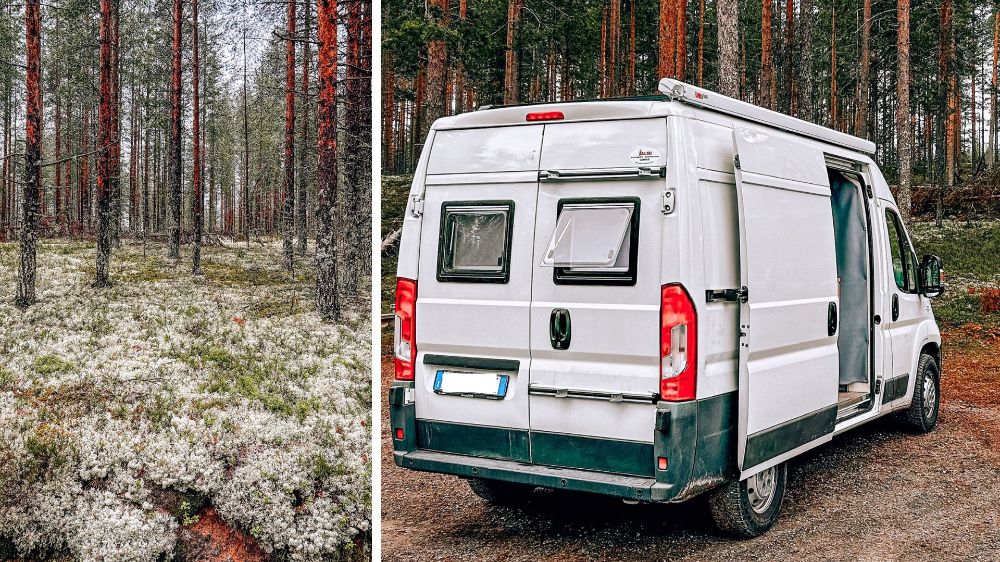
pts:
pixel 185 238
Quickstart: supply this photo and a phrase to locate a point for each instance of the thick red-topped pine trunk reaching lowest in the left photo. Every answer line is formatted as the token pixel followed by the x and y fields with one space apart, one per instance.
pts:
pixel 327 302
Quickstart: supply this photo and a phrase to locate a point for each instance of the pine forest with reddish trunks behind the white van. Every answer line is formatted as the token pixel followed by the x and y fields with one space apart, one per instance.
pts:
pixel 919 79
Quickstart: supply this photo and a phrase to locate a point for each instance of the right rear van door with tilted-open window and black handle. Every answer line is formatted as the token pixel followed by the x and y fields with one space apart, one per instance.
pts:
pixel 595 295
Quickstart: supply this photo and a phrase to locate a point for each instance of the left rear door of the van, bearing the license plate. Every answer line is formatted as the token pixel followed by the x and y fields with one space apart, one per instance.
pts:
pixel 474 291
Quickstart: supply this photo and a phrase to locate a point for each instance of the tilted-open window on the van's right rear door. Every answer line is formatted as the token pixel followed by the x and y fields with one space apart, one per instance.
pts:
pixel 595 242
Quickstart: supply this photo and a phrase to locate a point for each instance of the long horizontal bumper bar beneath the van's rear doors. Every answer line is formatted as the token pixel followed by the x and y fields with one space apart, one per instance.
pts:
pixel 626 487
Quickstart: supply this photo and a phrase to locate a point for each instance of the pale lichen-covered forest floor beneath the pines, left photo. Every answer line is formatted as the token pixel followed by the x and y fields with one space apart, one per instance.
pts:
pixel 170 415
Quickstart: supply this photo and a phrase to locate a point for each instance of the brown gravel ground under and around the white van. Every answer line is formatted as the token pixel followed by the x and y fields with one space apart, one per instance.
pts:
pixel 875 493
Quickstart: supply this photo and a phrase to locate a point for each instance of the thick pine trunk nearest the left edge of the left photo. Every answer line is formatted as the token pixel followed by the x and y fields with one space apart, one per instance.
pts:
pixel 25 295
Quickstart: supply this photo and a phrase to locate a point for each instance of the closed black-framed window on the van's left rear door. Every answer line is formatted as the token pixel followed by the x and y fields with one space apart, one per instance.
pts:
pixel 474 243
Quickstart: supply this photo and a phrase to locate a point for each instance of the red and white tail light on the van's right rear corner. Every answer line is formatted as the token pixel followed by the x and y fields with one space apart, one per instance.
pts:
pixel 678 344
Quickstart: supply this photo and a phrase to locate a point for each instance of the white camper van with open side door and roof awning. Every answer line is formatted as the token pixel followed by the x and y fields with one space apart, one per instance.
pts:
pixel 652 298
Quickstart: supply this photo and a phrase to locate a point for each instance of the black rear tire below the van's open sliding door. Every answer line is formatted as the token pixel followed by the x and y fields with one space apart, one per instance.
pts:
pixel 732 510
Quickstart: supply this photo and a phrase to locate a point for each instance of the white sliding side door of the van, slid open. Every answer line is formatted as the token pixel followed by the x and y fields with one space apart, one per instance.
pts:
pixel 788 320
